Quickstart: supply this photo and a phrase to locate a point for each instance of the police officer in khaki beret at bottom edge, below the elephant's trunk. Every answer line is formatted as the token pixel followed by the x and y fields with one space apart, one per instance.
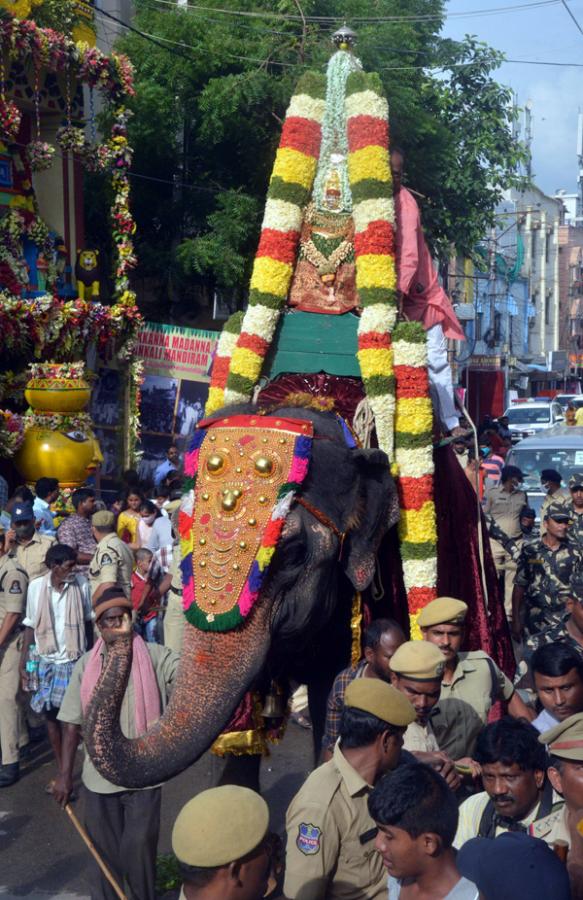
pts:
pixel 220 840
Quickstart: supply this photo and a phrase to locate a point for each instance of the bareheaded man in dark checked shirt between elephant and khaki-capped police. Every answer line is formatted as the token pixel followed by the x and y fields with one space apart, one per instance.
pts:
pixel 381 639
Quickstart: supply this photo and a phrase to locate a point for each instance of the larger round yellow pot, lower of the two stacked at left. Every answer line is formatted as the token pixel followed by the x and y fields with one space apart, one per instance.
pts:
pixel 69 457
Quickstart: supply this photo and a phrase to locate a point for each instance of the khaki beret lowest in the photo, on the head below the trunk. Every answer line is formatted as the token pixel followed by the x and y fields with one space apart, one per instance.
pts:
pixel 220 826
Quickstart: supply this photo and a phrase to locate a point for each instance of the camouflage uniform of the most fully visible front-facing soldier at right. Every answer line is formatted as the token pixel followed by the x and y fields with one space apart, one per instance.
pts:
pixel 544 574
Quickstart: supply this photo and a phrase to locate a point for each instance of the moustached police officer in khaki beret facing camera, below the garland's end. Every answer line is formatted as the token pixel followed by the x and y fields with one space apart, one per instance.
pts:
pixel 471 681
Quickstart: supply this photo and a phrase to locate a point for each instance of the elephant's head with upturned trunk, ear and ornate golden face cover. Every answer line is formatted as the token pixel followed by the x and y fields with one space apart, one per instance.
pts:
pixel 281 509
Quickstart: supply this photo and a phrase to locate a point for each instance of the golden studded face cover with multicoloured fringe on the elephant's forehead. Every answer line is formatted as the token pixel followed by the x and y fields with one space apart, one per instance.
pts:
pixel 244 472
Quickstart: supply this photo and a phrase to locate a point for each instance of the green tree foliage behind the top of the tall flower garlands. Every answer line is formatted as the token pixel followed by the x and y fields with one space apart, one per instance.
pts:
pixel 212 90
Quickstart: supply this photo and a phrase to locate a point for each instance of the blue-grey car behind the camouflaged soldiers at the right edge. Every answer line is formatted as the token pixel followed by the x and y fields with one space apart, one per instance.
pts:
pixel 560 448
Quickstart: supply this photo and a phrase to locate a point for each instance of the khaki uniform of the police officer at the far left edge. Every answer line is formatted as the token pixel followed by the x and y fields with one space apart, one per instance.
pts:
pixel 13 587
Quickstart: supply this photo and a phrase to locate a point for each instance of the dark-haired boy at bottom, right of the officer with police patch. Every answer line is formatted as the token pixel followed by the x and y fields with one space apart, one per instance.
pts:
pixel 416 814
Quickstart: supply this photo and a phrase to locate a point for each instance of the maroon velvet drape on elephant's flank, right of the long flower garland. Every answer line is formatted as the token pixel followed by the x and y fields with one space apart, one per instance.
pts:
pixel 458 562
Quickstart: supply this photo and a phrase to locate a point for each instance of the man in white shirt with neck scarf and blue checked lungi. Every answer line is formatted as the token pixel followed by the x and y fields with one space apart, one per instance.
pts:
pixel 58 621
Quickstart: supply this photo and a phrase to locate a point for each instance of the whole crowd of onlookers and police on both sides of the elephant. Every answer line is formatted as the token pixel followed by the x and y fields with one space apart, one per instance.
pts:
pixel 440 776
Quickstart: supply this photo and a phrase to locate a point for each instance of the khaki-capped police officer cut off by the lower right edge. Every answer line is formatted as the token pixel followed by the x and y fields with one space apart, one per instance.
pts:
pixel 565 772
